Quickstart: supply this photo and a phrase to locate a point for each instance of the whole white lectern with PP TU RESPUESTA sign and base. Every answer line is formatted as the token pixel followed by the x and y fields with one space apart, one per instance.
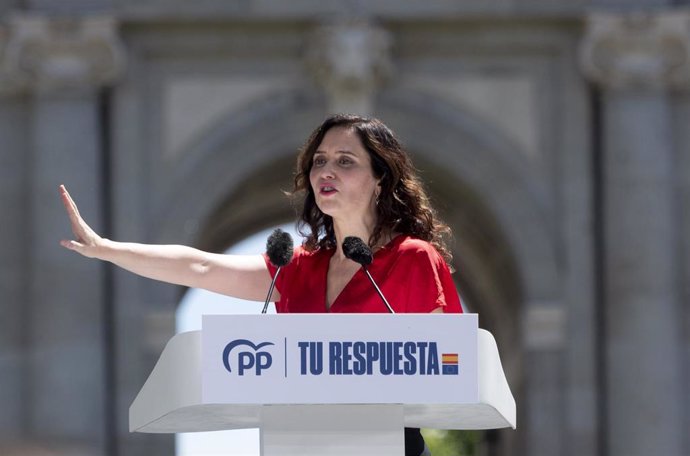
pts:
pixel 321 384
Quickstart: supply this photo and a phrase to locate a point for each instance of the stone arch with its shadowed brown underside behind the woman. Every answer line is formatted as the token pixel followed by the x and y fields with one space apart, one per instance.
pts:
pixel 491 199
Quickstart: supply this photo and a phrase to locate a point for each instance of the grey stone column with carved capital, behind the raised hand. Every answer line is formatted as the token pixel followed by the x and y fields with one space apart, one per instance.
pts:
pixel 64 63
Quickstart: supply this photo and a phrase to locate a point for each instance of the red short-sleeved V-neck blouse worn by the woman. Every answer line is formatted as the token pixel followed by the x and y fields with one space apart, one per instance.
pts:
pixel 411 274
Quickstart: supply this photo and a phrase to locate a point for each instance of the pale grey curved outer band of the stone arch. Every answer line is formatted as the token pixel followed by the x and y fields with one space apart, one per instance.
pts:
pixel 252 151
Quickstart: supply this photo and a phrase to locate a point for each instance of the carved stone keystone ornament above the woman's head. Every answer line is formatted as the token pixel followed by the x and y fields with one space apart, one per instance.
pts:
pixel 350 61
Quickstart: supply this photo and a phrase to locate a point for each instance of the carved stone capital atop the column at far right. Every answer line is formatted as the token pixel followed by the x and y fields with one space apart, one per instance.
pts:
pixel 637 51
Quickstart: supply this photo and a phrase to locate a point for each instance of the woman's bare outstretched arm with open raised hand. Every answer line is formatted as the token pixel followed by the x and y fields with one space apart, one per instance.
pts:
pixel 241 276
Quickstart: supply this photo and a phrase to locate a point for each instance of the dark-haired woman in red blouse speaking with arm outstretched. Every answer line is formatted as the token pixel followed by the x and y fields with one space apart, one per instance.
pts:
pixel 356 181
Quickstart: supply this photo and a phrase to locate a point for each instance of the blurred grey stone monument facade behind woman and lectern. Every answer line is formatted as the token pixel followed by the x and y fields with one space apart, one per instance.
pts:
pixel 553 136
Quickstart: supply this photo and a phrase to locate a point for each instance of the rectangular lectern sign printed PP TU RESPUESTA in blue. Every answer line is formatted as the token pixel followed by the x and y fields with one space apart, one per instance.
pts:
pixel 344 359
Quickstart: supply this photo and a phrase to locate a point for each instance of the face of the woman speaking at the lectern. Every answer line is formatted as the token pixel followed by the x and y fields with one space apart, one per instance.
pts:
pixel 342 178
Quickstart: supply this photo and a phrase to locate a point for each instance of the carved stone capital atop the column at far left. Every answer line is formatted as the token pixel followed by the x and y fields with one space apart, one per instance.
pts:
pixel 56 54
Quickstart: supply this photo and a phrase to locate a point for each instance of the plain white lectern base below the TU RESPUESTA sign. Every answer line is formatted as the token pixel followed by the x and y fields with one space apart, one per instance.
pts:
pixel 330 430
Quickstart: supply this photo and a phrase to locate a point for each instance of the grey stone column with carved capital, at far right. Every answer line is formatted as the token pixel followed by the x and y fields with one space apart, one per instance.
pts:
pixel 636 60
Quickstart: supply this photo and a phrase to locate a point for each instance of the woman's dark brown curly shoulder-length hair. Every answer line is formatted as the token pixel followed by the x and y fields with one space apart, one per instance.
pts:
pixel 403 206
